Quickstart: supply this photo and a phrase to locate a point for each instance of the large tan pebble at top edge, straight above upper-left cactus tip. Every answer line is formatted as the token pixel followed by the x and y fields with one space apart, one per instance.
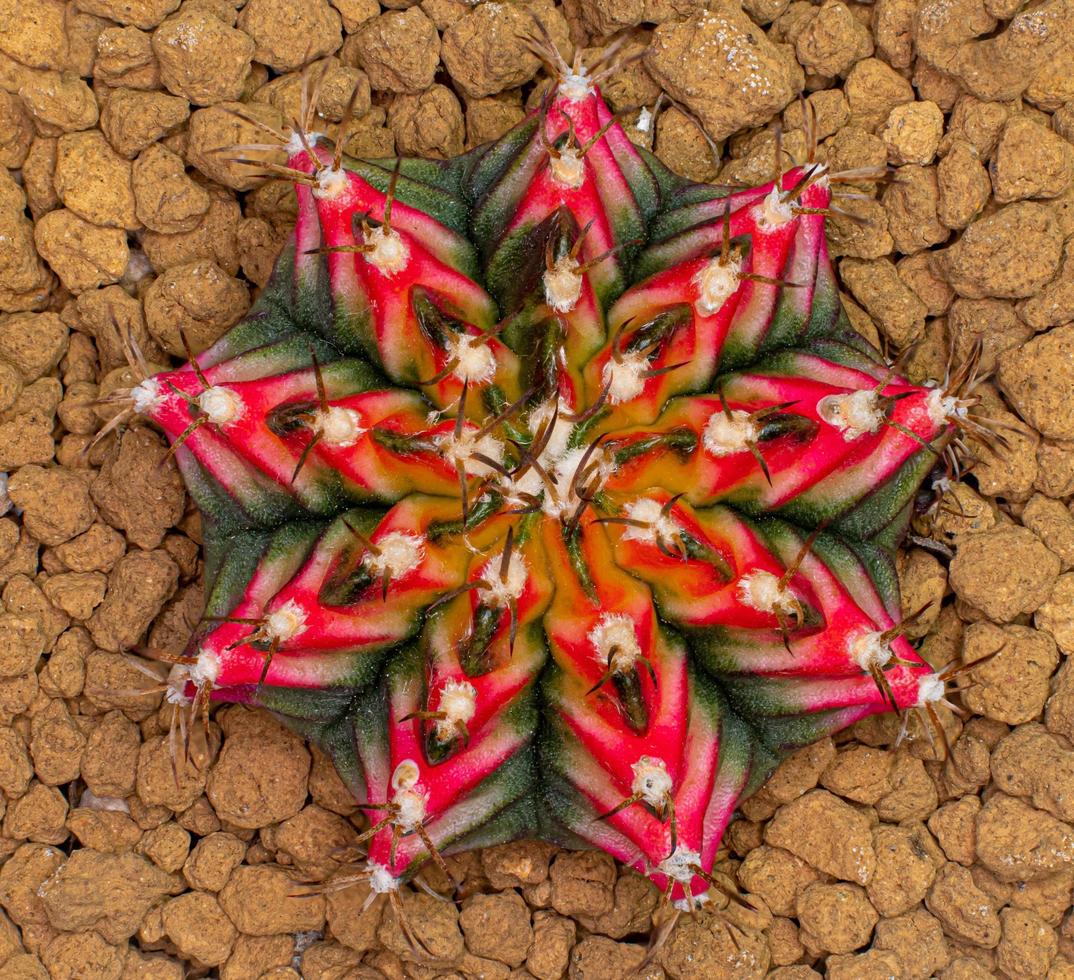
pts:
pixel 289 36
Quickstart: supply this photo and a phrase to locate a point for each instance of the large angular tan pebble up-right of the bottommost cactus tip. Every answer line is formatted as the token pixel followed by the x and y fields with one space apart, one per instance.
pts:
pixel 826 833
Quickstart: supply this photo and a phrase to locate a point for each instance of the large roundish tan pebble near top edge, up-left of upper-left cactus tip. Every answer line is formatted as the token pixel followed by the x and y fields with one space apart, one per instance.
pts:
pixel 202 59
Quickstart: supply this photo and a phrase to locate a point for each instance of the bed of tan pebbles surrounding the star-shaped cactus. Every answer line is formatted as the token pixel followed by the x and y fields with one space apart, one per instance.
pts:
pixel 862 861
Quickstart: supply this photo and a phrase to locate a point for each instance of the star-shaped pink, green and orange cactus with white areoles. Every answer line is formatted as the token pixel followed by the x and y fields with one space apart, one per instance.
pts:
pixel 551 494
